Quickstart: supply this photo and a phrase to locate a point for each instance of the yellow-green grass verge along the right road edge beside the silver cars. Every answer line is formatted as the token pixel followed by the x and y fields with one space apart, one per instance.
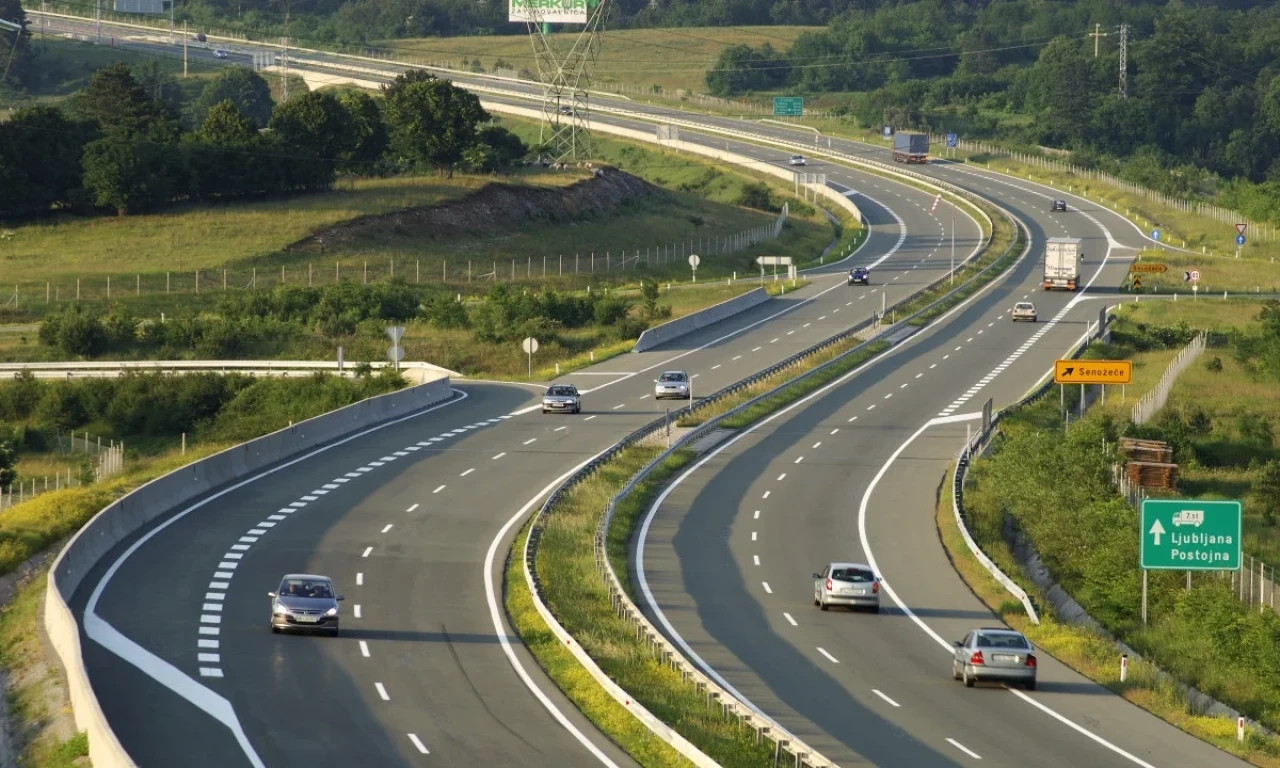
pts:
pixel 1086 651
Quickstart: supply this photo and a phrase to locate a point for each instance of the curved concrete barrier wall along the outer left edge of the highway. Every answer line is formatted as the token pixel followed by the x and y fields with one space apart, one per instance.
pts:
pixel 157 499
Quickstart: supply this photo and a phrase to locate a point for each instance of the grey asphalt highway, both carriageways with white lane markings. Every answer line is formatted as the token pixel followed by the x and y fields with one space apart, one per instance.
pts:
pixel 414 519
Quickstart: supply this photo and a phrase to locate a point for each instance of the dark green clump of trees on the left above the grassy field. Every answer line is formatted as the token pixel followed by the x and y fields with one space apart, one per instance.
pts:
pixel 120 147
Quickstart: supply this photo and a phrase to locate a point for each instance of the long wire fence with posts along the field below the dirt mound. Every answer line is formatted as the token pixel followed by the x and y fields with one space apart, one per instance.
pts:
pixel 455 273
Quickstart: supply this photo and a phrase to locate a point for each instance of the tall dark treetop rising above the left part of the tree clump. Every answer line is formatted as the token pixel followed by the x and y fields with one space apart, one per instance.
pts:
pixel 121 106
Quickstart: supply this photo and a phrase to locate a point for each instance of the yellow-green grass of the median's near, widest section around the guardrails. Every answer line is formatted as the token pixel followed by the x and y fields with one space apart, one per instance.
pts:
pixel 580 602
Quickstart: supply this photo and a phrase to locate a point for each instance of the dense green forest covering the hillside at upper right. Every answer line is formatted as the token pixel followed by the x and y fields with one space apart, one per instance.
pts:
pixel 1203 113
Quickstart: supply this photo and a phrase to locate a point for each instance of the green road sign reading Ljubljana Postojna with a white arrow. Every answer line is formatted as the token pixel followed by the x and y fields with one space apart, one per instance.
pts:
pixel 1190 536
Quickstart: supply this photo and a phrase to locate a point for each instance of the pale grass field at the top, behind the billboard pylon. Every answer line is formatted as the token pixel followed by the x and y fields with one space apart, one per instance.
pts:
pixel 670 60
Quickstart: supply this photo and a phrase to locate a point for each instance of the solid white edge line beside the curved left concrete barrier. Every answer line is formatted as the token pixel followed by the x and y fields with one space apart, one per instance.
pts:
pixel 216 706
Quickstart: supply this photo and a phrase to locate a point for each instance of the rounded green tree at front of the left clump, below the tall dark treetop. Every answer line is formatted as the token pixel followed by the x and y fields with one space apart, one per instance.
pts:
pixel 131 175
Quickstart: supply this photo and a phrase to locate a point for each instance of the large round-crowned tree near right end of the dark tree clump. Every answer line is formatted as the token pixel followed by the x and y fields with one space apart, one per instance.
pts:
pixel 432 121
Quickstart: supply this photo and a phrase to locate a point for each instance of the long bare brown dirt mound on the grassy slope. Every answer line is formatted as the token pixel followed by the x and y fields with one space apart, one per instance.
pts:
pixel 495 209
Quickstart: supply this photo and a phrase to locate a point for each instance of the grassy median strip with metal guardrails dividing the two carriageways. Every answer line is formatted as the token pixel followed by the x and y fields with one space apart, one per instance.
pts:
pixel 569 557
